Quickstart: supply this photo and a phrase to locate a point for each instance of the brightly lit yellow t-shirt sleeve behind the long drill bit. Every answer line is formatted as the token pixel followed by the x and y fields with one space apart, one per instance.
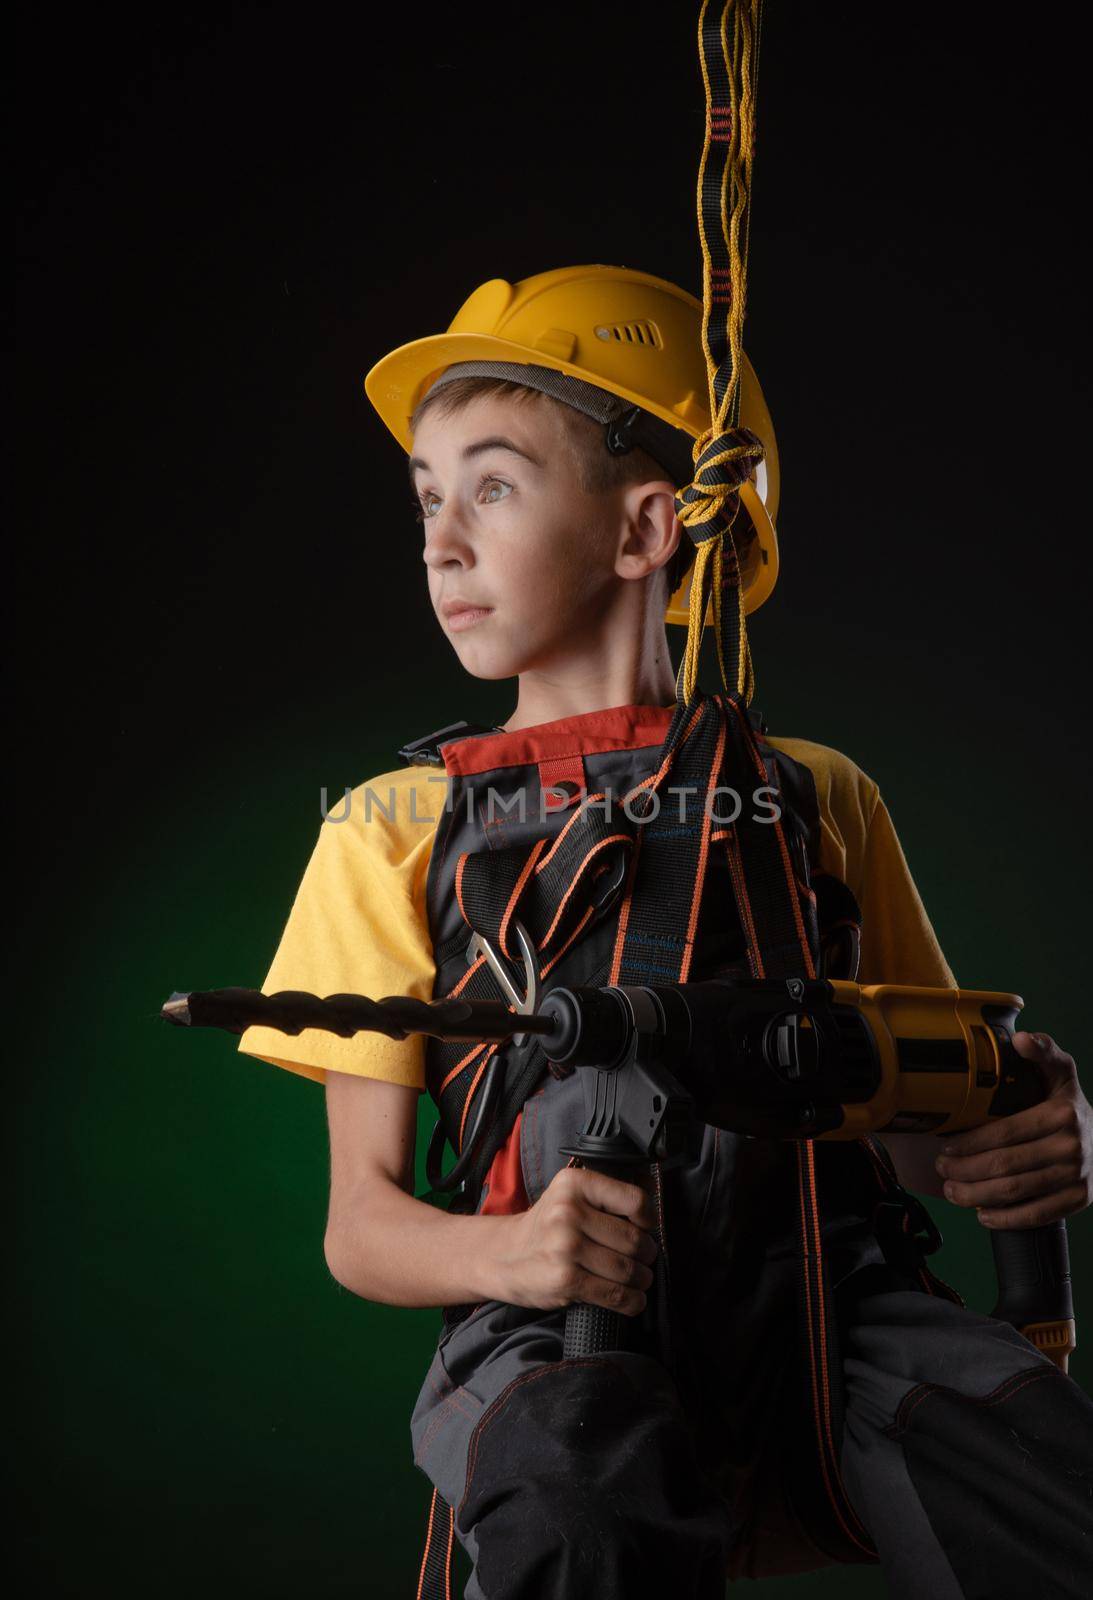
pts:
pixel 358 926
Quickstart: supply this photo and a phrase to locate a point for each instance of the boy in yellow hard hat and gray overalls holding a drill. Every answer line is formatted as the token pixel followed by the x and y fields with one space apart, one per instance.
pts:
pixel 553 546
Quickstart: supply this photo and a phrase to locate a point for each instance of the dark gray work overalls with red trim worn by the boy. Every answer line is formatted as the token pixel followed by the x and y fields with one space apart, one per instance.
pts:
pixel 955 1447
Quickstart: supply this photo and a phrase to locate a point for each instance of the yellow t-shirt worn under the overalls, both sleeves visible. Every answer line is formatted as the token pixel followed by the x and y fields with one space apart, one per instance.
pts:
pixel 359 922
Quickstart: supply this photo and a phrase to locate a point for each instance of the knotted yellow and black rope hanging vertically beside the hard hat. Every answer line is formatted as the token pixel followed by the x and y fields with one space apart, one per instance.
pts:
pixel 726 455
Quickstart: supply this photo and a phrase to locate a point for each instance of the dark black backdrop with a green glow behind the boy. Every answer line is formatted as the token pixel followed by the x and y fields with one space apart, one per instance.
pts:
pixel 225 218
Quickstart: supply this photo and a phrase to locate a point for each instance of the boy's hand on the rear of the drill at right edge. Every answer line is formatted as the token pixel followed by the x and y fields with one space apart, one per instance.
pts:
pixel 1033 1167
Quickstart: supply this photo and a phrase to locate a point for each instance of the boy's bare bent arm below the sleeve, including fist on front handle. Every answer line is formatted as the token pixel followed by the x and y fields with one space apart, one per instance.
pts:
pixel 588 1238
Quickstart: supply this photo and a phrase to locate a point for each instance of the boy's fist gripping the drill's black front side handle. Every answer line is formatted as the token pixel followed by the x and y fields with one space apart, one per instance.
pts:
pixel 588 1238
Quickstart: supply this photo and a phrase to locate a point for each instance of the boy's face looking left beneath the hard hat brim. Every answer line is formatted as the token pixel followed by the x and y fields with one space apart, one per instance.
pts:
pixel 522 562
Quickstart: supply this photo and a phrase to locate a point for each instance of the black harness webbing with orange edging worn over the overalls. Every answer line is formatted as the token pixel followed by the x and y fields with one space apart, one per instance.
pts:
pixel 713 762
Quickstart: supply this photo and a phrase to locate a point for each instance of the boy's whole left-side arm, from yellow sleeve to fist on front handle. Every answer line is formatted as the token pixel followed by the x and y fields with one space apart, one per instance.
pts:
pixel 359 924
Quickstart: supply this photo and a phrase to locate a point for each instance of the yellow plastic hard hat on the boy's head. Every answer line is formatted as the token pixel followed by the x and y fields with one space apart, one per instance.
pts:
pixel 628 334
